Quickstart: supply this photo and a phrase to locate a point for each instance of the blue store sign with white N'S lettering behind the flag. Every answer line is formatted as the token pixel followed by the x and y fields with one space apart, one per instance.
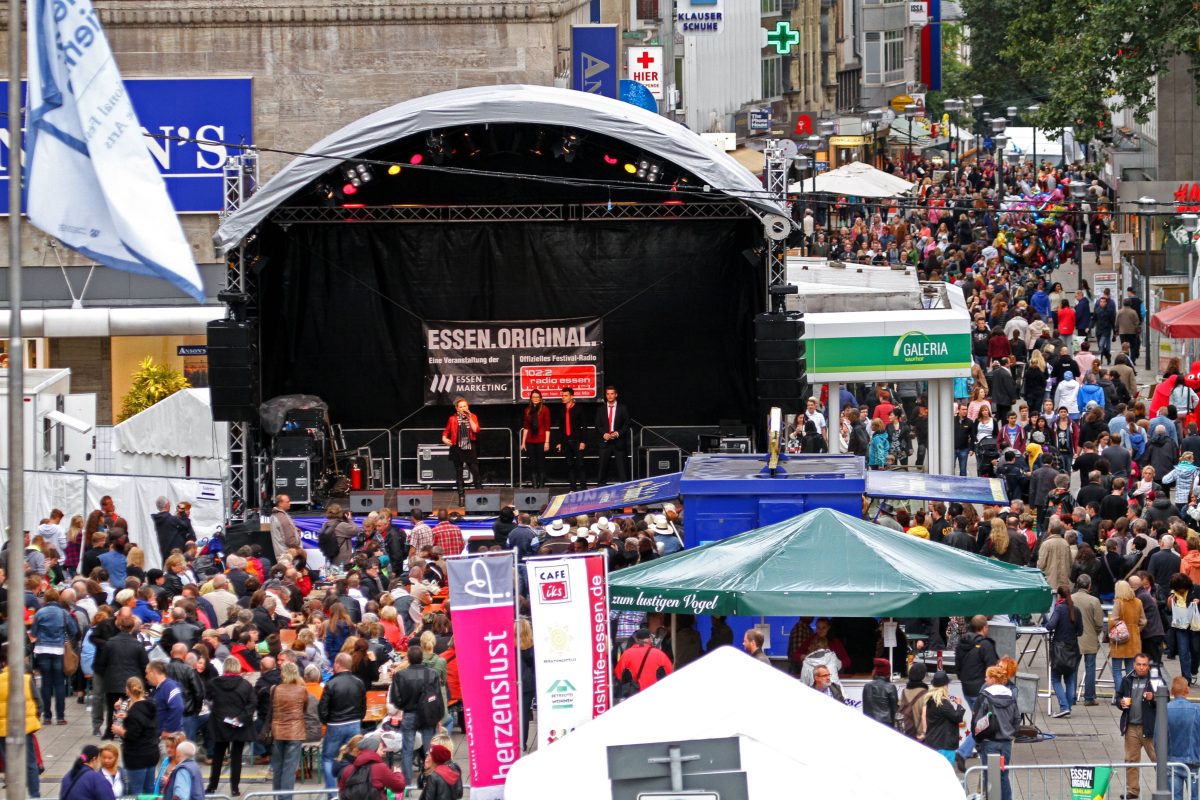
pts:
pixel 190 121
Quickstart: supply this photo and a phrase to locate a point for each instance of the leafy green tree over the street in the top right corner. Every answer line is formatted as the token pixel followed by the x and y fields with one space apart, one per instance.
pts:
pixel 1093 57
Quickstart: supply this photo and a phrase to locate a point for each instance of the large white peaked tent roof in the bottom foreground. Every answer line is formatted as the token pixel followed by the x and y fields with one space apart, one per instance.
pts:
pixel 791 737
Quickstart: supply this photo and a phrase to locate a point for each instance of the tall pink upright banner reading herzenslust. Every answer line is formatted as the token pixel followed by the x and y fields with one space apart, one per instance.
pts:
pixel 483 596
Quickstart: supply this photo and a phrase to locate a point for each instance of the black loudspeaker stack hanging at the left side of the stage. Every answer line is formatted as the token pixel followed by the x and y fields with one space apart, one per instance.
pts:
pixel 233 371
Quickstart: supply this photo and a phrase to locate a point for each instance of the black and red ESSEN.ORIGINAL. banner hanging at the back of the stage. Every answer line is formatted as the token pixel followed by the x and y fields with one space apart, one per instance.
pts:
pixel 505 362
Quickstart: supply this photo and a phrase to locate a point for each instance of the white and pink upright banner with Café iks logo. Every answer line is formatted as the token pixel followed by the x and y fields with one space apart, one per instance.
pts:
pixel 569 611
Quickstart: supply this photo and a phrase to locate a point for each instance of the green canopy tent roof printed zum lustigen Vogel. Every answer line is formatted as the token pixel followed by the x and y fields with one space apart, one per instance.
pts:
pixel 827 564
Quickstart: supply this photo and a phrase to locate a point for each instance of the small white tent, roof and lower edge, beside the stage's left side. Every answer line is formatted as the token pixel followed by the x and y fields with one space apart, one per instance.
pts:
pixel 176 437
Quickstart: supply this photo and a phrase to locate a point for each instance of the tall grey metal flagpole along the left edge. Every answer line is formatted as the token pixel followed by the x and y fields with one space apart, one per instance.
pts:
pixel 15 753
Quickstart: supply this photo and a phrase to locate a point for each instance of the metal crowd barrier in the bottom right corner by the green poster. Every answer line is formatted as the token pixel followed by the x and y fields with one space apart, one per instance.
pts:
pixel 1054 781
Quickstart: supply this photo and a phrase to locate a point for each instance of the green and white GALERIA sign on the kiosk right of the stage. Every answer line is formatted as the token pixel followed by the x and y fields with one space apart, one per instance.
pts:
pixel 908 352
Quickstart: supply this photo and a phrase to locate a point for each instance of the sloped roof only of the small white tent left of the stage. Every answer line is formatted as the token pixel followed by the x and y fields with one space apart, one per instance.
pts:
pixel 181 426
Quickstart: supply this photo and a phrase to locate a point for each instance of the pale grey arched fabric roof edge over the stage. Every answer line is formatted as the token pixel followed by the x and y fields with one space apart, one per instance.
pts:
pixel 503 105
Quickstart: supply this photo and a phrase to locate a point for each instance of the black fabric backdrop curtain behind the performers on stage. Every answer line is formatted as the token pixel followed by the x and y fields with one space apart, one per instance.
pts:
pixel 341 308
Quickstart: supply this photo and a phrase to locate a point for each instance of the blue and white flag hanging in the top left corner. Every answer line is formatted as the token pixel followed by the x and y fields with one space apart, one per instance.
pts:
pixel 89 179
